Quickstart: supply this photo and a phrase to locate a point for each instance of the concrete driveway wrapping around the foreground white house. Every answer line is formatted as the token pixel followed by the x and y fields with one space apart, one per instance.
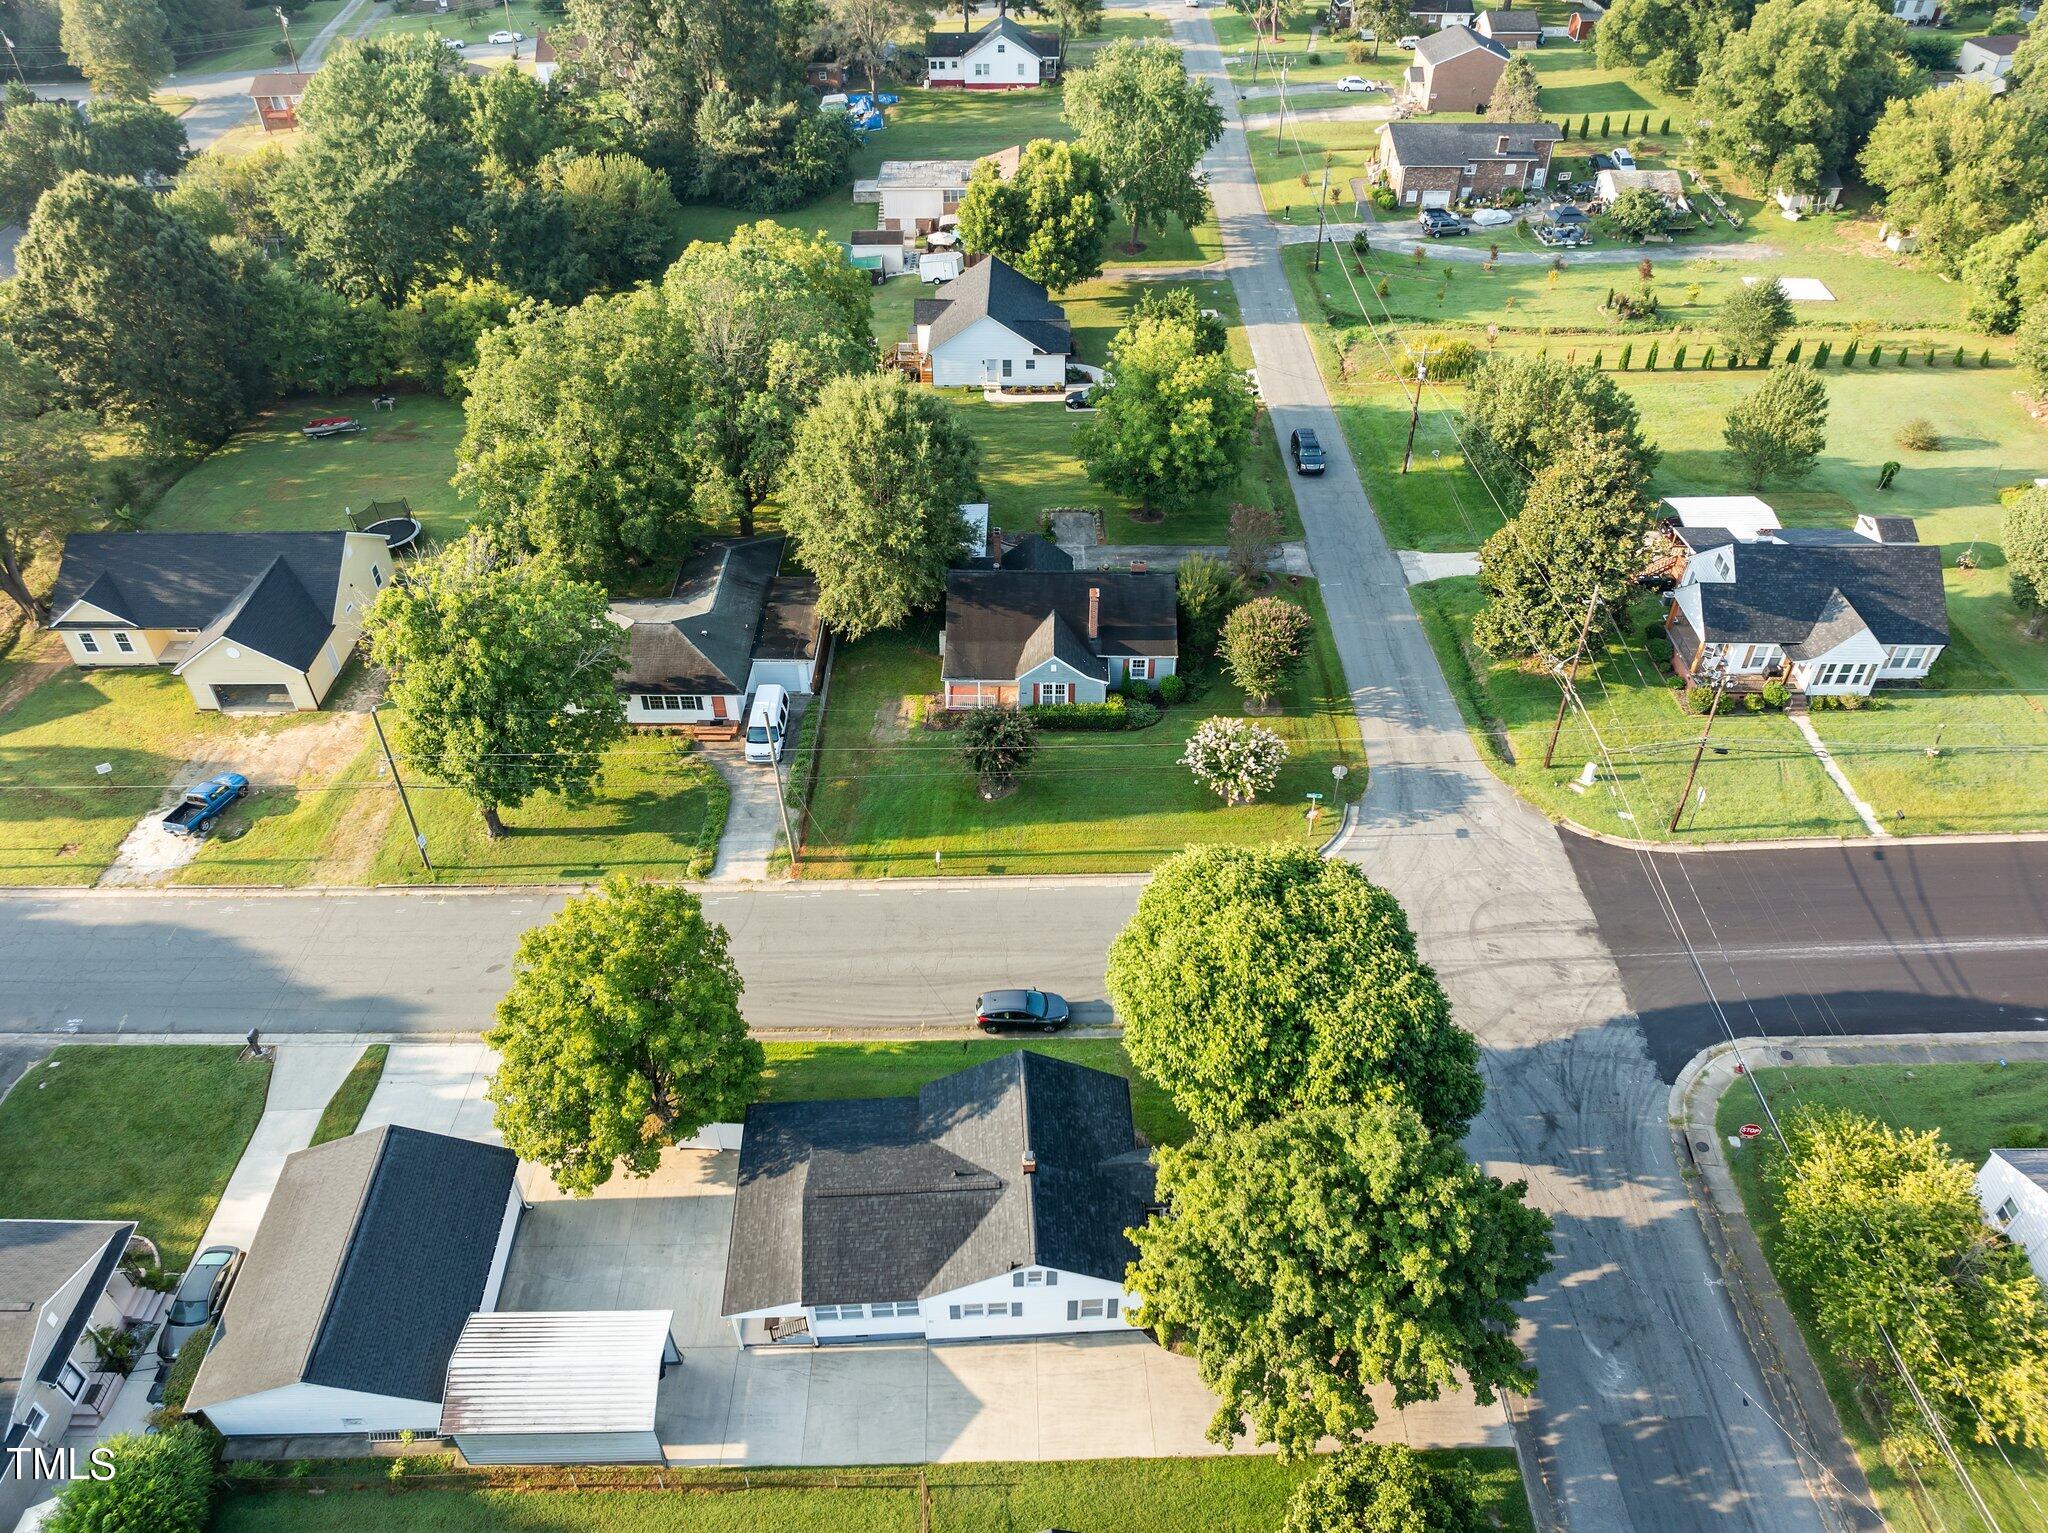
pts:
pixel 660 1243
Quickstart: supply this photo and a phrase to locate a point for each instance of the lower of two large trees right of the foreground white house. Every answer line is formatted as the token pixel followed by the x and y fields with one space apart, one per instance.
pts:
pixel 1308 1260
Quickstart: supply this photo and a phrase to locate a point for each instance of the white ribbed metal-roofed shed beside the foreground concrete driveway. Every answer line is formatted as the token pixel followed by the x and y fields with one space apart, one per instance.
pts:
pixel 560 1387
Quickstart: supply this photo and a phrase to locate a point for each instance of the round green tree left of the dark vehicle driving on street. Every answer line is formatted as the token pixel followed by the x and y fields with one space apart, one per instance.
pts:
pixel 1175 421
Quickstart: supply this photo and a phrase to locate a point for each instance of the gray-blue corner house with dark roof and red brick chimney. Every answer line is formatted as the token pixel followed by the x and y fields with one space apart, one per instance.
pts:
pixel 1023 638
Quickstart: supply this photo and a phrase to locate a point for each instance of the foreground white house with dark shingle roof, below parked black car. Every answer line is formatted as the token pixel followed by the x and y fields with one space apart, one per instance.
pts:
pixel 990 1204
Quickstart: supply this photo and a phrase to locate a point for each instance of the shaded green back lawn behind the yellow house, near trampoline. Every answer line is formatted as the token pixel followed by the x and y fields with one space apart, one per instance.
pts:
pixel 271 478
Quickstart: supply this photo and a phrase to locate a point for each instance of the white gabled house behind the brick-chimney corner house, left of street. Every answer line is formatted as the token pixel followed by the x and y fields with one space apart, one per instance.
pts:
pixel 990 328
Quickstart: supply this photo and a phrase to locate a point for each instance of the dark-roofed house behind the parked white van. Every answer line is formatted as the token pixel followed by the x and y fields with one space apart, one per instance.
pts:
pixel 732 625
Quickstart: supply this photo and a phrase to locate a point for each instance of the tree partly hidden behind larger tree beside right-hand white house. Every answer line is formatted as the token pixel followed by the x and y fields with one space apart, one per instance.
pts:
pixel 1521 412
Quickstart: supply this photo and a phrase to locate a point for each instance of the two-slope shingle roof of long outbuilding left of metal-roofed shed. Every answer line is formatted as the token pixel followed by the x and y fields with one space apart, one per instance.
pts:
pixel 372 1256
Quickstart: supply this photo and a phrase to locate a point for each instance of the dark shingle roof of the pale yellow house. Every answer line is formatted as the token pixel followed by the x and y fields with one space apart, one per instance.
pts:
pixel 273 588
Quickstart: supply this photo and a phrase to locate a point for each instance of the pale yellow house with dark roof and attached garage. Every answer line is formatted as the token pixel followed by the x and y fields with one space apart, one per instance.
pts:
pixel 253 621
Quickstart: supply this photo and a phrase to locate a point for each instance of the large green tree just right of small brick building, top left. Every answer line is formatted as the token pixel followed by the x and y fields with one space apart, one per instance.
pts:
pixel 384 179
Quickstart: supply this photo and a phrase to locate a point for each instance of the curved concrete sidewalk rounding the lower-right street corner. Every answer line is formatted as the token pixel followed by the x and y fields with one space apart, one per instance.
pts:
pixel 1799 1397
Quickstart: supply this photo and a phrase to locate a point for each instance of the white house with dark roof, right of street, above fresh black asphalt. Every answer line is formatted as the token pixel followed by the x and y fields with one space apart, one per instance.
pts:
pixel 1822 609
